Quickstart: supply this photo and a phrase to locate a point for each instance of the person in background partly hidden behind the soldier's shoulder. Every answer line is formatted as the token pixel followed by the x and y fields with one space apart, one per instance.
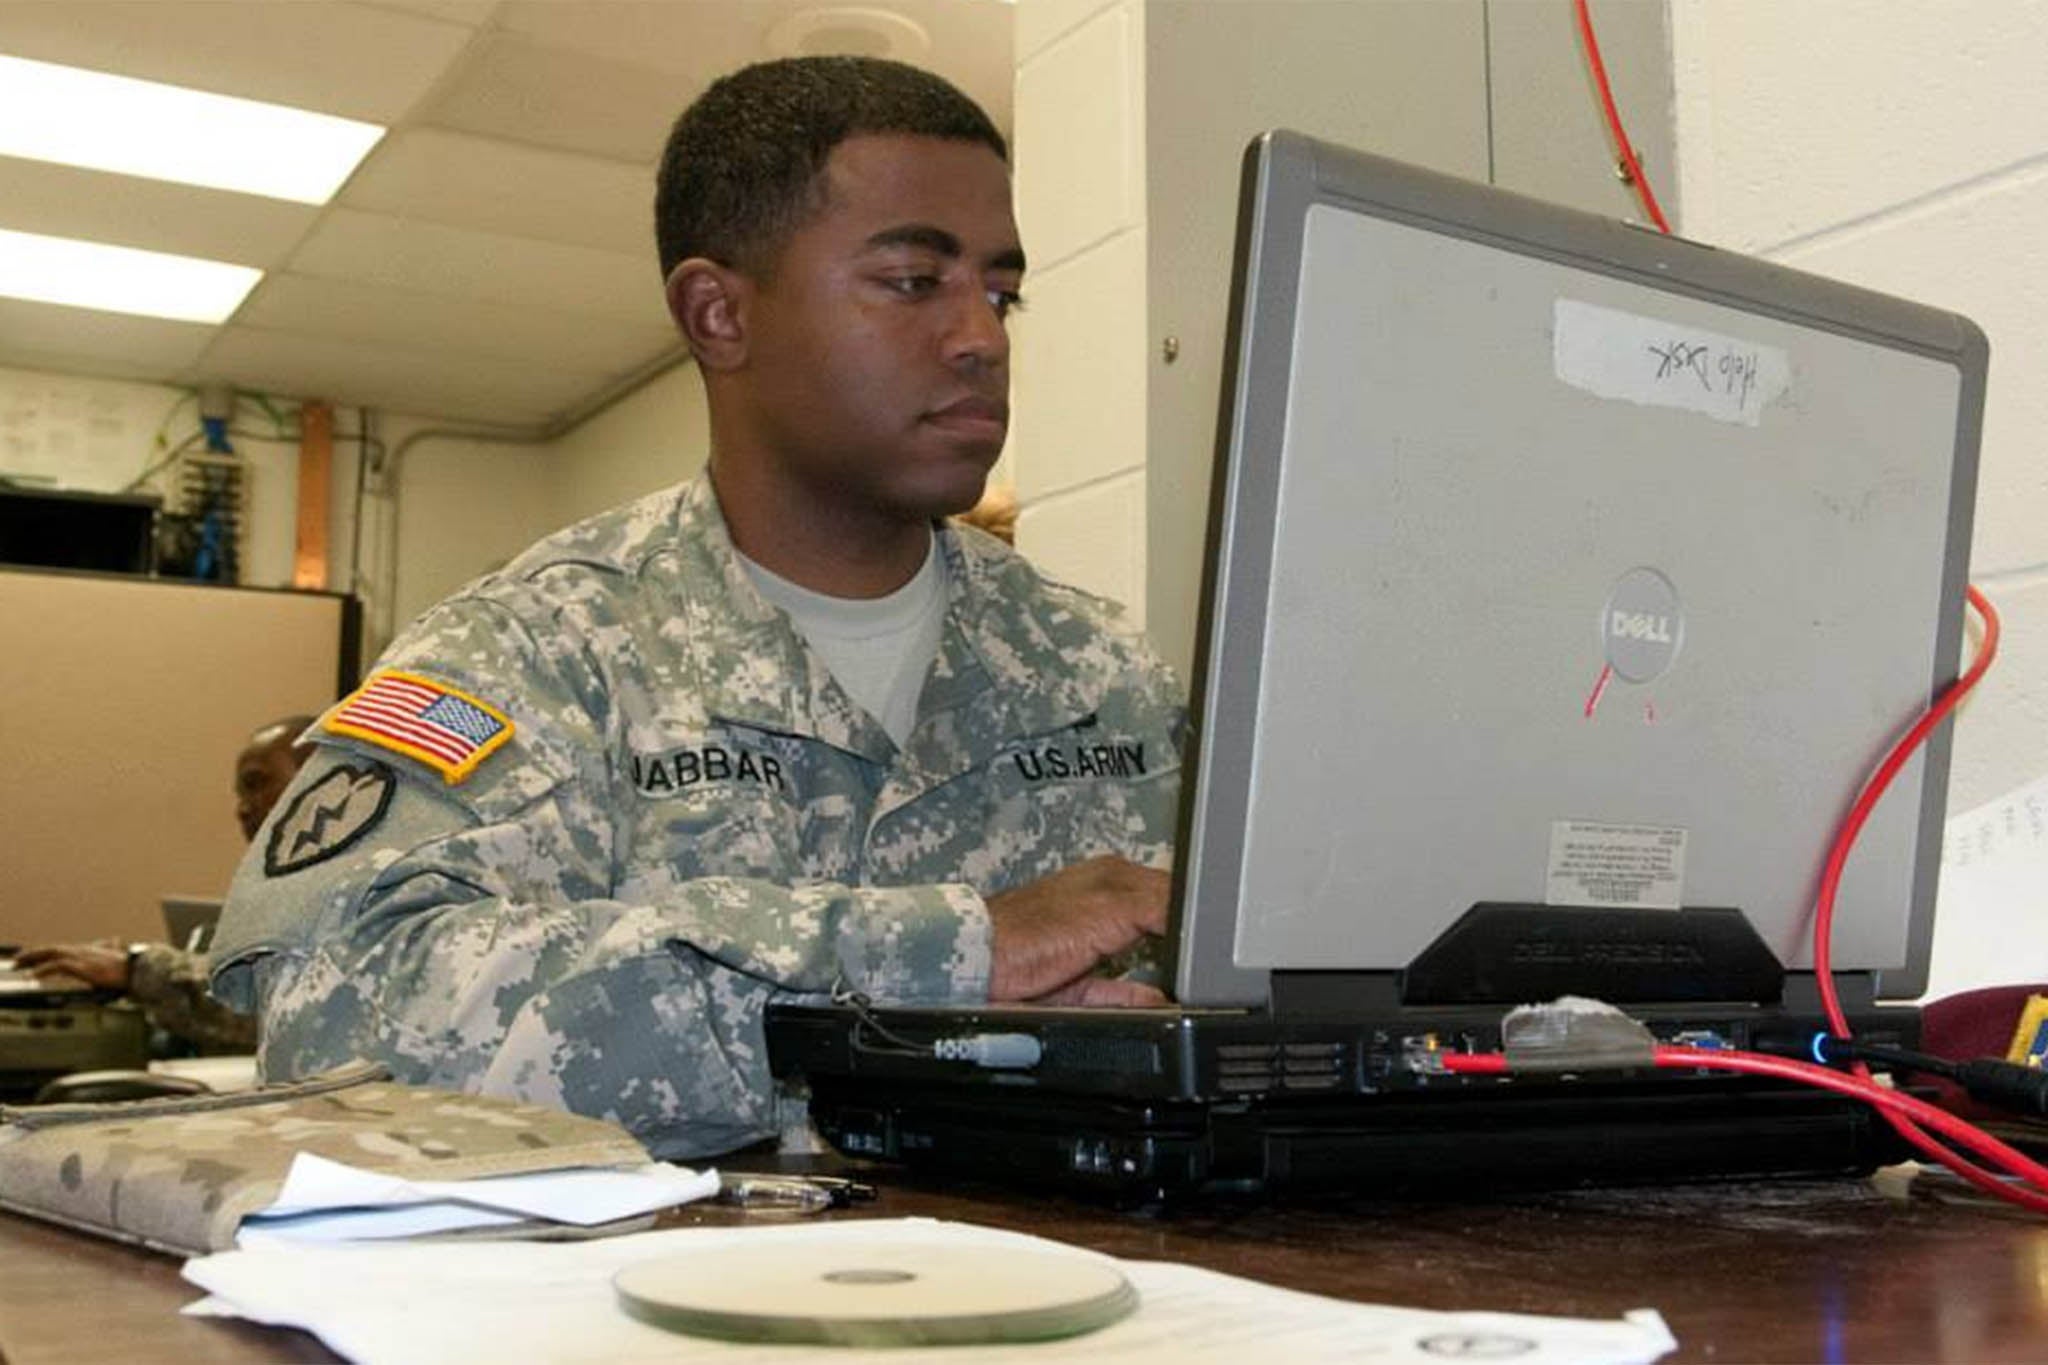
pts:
pixel 167 981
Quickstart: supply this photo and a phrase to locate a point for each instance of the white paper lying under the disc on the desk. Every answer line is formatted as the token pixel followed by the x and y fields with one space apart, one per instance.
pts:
pixel 398 1305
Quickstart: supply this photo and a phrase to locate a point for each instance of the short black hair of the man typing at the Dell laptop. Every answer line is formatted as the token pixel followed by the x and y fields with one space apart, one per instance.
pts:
pixel 742 163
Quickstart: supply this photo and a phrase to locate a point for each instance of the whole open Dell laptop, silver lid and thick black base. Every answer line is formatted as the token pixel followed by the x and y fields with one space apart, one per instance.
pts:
pixel 1564 586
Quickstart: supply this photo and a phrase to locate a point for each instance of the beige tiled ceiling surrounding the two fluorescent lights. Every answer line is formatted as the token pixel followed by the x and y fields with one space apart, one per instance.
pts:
pixel 493 261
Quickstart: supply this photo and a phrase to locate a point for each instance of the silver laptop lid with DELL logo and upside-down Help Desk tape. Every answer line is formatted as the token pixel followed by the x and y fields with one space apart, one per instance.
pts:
pixel 1562 564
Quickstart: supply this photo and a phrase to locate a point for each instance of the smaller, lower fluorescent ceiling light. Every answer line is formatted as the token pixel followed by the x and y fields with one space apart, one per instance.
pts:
pixel 87 275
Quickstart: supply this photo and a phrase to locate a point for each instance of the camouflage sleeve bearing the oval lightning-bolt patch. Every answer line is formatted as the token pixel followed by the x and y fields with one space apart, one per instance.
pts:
pixel 464 934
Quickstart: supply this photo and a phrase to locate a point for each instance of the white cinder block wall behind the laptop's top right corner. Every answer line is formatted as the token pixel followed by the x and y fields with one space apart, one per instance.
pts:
pixel 1906 148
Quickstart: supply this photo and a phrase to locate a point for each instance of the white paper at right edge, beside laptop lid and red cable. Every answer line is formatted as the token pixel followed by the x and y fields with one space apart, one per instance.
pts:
pixel 1988 928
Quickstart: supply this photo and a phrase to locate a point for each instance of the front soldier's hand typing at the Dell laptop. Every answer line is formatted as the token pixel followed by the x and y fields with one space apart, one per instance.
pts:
pixel 1052 934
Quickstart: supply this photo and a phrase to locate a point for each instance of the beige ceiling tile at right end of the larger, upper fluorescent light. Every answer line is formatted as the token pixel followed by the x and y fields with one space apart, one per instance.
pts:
pixel 511 189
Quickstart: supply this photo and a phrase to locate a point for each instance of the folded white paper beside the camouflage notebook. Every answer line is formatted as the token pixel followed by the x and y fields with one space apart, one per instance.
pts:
pixel 331 1202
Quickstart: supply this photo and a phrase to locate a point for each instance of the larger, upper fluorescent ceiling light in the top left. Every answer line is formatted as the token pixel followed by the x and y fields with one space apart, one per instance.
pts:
pixel 138 128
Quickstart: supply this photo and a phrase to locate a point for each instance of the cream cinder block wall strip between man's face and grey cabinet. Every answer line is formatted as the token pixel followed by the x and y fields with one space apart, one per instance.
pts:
pixel 1078 459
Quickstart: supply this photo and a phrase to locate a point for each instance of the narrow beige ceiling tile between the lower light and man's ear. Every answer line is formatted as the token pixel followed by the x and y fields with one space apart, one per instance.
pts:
pixel 433 324
